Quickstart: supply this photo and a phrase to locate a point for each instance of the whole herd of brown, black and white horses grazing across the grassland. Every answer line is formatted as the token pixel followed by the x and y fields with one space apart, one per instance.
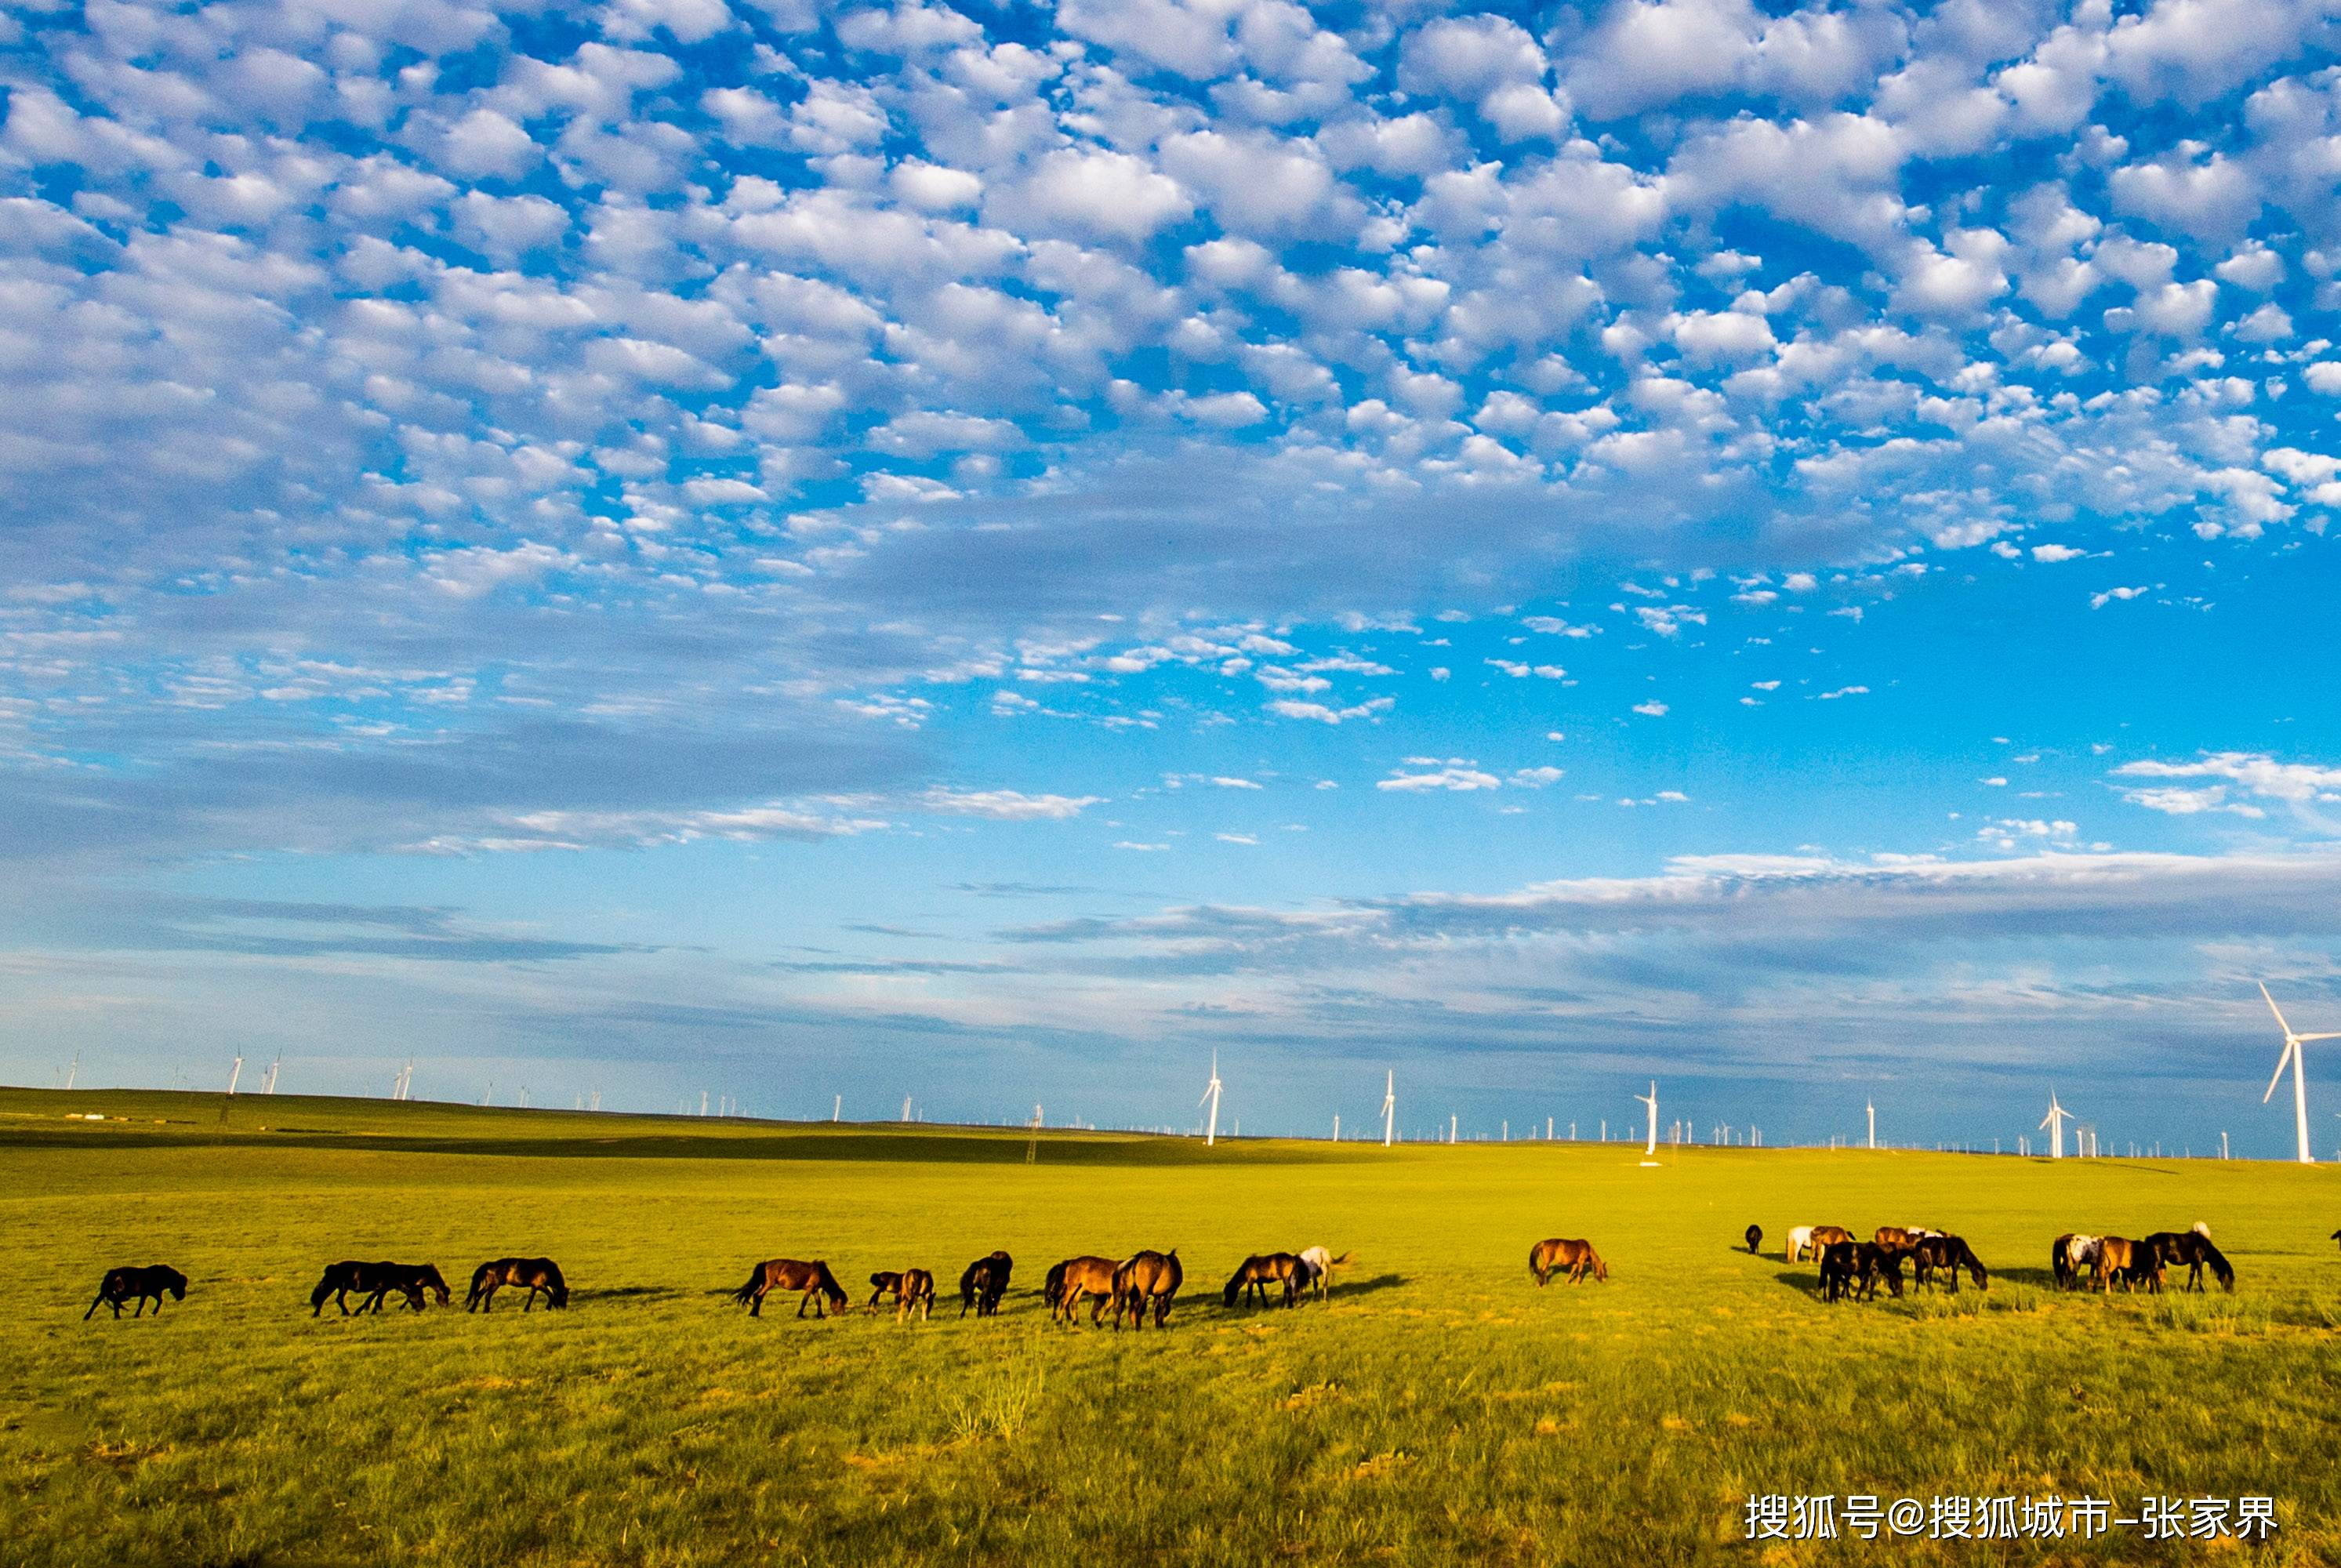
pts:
pixel 1148 1281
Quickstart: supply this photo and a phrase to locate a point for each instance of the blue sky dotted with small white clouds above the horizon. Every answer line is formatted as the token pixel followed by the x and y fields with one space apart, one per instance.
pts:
pixel 991 553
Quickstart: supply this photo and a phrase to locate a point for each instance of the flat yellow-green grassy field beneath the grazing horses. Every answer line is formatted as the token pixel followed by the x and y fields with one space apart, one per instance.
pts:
pixel 1441 1410
